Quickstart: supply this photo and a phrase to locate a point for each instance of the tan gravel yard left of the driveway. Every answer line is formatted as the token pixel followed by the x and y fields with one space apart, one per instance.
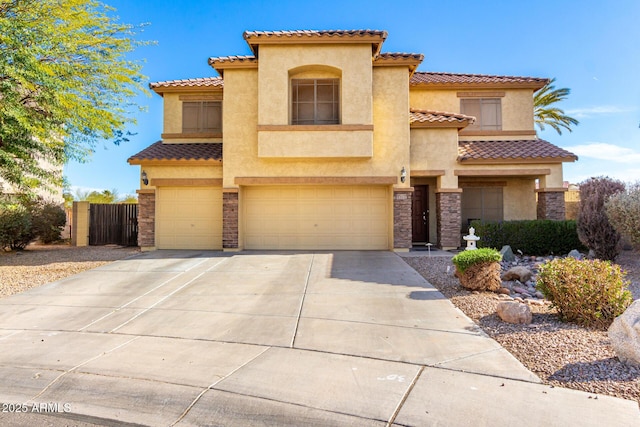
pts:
pixel 40 264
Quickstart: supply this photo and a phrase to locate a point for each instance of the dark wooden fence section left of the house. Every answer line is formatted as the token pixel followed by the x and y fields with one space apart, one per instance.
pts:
pixel 115 224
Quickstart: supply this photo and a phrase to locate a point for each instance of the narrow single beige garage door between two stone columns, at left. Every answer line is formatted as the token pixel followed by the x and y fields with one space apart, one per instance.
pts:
pixel 189 218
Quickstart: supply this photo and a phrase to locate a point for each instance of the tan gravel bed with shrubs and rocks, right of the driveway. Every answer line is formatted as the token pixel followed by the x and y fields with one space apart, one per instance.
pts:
pixel 561 354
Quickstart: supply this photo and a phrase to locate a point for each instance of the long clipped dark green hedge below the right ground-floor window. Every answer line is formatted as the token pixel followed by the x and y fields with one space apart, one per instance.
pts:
pixel 532 237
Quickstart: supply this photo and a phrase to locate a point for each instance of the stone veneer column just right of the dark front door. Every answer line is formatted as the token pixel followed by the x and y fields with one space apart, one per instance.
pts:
pixel 449 218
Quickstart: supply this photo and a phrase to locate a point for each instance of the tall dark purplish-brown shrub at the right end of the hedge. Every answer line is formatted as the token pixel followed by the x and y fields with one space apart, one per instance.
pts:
pixel 594 228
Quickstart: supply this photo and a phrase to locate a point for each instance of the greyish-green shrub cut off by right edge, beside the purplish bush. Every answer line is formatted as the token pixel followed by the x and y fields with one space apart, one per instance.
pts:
pixel 623 211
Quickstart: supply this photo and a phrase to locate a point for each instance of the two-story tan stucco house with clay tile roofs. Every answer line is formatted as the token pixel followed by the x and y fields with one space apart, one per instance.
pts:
pixel 319 140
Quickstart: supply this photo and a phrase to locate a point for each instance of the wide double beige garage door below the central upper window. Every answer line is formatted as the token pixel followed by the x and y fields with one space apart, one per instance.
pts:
pixel 316 217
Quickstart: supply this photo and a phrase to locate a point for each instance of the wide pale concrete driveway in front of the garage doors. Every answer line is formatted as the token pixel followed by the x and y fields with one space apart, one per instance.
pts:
pixel 206 338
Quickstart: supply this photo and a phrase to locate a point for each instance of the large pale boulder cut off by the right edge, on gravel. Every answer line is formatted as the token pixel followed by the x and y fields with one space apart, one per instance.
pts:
pixel 624 334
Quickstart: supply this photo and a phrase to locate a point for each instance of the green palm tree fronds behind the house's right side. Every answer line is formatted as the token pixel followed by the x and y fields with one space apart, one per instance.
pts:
pixel 544 113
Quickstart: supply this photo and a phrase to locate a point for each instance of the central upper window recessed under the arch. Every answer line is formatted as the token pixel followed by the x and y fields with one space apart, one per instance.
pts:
pixel 315 101
